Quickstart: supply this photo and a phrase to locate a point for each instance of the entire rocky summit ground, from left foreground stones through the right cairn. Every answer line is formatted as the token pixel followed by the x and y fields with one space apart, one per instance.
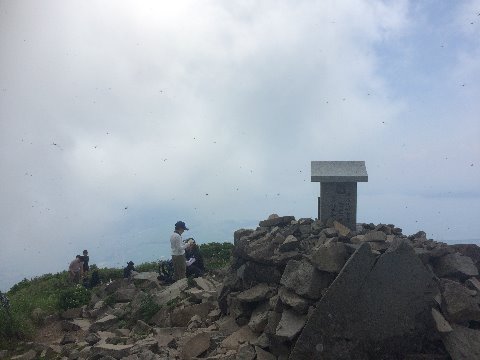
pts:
pixel 295 289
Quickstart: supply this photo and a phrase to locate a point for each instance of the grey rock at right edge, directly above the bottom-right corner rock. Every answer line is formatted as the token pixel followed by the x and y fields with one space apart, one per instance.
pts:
pixel 458 302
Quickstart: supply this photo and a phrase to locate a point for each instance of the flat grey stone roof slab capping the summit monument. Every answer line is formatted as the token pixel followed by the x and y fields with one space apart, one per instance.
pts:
pixel 339 171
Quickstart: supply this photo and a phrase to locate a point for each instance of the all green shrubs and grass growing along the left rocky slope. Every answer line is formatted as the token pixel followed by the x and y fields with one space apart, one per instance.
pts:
pixel 32 300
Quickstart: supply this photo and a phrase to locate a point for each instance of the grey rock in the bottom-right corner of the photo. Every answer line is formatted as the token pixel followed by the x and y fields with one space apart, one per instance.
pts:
pixel 462 343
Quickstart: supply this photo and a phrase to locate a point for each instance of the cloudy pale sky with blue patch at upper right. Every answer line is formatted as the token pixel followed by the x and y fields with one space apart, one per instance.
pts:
pixel 118 118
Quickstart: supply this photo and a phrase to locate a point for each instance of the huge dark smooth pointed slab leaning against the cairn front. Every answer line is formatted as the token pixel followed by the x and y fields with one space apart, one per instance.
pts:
pixel 356 311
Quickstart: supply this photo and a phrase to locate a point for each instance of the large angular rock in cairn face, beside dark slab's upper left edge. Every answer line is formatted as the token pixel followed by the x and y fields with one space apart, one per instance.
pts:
pixel 303 278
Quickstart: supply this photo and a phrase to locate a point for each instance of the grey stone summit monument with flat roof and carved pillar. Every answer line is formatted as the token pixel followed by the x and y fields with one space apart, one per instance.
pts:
pixel 338 189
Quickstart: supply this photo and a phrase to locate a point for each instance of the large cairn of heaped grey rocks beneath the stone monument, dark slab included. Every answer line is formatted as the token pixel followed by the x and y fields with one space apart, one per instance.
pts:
pixel 308 290
